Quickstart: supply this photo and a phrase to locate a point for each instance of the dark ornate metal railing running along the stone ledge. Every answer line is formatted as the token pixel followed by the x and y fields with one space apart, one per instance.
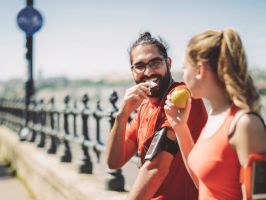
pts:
pixel 47 126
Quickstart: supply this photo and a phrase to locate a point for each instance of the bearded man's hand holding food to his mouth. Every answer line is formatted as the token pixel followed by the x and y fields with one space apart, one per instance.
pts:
pixel 134 97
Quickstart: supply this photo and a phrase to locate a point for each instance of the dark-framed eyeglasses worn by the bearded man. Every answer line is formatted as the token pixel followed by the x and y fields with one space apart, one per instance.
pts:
pixel 153 64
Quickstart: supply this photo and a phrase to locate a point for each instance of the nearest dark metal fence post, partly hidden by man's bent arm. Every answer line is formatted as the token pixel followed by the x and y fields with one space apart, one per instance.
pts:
pixel 114 180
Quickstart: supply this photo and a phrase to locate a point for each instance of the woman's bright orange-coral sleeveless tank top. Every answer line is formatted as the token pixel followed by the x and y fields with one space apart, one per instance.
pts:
pixel 215 163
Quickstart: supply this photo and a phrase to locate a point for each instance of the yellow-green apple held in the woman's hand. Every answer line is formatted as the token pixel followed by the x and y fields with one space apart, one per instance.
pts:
pixel 179 97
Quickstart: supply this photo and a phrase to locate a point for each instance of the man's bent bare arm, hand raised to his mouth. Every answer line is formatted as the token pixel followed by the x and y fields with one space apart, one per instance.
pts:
pixel 119 148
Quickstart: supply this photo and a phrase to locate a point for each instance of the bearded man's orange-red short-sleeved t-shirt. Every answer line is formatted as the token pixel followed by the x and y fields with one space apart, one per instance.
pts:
pixel 178 184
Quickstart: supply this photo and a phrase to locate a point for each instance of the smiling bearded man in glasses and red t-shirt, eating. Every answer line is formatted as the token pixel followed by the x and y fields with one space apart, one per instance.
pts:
pixel 162 176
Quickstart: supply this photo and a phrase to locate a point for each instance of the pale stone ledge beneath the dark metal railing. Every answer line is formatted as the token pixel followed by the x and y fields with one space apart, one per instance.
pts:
pixel 48 178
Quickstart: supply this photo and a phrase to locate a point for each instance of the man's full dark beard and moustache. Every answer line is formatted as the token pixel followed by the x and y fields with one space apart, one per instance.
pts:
pixel 159 90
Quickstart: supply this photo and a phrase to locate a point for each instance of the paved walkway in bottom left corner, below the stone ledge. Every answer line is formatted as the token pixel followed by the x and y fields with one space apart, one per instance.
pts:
pixel 10 187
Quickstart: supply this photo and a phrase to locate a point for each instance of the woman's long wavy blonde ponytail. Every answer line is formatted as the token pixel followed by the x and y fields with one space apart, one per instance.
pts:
pixel 232 70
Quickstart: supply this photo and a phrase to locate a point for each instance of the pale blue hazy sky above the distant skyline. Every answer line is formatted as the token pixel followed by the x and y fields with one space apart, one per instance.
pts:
pixel 90 39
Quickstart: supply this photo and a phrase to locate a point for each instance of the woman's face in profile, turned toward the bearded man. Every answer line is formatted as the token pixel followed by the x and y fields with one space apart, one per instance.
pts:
pixel 191 71
